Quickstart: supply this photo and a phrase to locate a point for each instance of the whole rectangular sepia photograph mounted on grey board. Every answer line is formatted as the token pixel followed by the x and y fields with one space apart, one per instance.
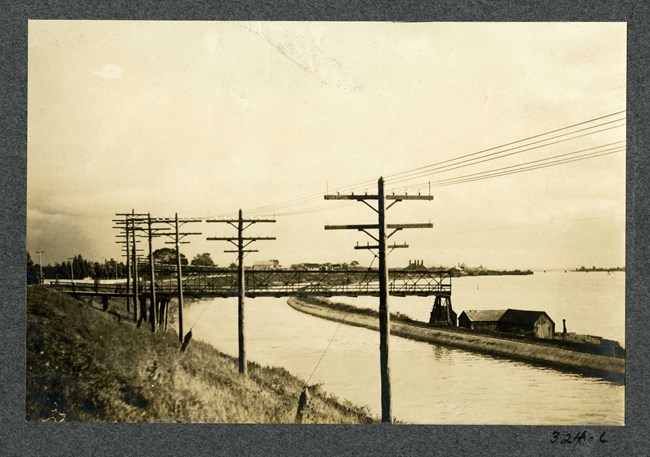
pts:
pixel 319 222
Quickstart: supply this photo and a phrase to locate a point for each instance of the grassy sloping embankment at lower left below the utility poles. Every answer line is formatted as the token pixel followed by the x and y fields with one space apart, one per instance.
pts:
pixel 87 365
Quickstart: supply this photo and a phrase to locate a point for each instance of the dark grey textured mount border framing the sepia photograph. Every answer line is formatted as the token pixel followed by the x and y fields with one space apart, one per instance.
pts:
pixel 20 437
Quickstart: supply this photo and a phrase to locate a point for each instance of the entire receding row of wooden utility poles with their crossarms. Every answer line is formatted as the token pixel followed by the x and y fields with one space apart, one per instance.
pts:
pixel 141 224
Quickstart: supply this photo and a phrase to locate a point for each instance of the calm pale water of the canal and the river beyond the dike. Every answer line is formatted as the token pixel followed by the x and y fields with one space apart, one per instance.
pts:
pixel 433 384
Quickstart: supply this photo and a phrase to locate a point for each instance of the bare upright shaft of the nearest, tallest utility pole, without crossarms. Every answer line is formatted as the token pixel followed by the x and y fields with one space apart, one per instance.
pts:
pixel 384 315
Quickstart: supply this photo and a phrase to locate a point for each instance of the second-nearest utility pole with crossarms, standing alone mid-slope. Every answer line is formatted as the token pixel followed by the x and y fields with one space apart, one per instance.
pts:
pixel 241 243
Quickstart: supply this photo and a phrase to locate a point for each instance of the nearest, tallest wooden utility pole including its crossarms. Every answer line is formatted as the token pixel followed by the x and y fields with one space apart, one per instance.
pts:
pixel 381 247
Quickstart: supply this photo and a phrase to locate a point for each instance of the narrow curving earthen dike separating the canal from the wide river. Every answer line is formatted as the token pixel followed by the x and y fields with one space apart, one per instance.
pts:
pixel 610 368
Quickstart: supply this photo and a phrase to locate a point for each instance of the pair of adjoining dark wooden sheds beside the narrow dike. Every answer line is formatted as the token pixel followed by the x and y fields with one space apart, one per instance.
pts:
pixel 534 323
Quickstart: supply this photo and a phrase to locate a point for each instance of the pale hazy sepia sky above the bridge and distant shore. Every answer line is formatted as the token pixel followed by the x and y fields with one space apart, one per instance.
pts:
pixel 205 118
